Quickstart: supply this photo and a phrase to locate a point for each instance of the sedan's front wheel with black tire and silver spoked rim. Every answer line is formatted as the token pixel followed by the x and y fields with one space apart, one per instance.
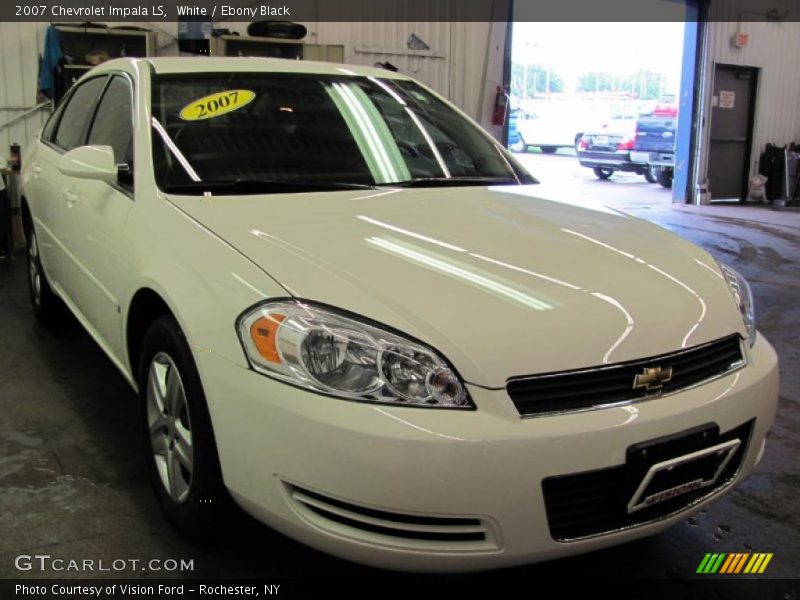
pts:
pixel 179 443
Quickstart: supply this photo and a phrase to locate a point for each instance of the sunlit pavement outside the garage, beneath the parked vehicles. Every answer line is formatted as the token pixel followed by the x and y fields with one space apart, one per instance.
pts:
pixel 562 170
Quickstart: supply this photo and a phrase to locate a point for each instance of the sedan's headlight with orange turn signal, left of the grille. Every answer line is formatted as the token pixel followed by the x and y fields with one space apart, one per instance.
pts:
pixel 334 354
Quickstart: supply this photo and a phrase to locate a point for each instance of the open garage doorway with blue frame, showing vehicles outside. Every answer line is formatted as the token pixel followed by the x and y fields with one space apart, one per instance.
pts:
pixel 604 109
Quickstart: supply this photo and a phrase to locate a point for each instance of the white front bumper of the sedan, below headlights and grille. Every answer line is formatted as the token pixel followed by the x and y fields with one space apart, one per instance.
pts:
pixel 283 449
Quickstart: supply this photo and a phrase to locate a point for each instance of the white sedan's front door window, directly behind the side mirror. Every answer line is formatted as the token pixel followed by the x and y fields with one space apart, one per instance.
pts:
pixel 112 124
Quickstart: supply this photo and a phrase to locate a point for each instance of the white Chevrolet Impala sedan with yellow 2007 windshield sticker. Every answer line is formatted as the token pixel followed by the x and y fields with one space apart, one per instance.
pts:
pixel 347 308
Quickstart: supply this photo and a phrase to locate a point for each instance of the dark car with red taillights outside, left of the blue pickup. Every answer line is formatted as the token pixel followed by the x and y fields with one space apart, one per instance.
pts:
pixel 608 150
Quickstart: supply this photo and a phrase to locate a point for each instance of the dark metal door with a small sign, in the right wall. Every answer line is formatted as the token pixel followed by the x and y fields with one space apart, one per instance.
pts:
pixel 732 108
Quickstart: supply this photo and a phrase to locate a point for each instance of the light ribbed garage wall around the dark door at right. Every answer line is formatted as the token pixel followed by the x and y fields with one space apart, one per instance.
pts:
pixel 774 47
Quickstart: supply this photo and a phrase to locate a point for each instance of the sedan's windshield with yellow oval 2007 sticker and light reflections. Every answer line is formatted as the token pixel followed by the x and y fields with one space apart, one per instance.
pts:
pixel 298 132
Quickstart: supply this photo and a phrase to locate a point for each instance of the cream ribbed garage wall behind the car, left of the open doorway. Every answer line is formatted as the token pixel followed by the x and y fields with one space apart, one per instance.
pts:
pixel 461 53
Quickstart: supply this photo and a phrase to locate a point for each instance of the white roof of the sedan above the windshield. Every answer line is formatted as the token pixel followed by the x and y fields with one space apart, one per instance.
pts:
pixel 216 64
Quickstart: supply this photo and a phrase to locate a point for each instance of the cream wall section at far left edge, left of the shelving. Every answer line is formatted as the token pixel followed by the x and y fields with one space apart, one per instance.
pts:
pixel 20 46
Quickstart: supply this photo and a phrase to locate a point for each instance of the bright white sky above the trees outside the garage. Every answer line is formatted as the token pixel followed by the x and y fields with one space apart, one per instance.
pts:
pixel 622 48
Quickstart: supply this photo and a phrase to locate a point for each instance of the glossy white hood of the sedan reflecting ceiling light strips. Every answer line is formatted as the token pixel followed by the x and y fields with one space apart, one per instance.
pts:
pixel 500 280
